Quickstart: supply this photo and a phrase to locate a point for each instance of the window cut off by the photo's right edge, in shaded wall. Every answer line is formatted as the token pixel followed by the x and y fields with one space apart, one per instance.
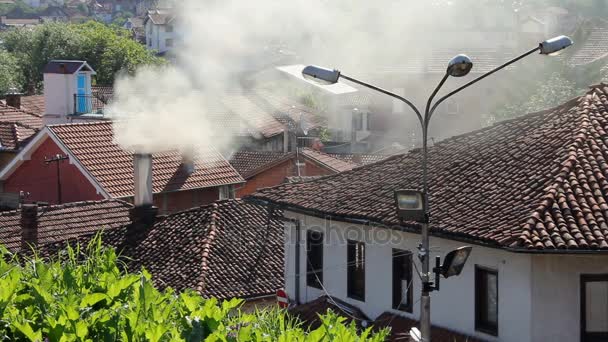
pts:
pixel 594 307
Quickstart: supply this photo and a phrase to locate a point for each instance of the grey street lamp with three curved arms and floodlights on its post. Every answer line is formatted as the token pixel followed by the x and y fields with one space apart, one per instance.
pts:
pixel 457 67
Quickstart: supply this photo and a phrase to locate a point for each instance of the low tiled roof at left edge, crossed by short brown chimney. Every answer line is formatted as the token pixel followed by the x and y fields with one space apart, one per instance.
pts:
pixel 65 221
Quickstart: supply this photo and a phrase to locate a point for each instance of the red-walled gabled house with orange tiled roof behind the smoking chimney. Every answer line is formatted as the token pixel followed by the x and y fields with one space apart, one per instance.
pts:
pixel 97 168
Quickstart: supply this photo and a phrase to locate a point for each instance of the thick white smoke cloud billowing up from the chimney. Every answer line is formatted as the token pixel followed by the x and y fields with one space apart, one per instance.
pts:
pixel 222 39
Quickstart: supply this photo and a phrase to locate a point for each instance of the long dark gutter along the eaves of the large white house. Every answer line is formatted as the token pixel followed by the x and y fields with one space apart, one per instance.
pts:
pixel 433 232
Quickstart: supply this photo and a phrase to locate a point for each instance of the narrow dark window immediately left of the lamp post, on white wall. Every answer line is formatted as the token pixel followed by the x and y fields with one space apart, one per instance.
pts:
pixel 402 277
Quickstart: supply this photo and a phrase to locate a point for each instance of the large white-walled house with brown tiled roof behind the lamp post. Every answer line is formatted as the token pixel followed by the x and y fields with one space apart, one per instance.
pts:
pixel 528 193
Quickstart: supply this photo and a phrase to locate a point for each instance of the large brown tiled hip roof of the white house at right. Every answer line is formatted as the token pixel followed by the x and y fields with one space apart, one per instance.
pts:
pixel 535 182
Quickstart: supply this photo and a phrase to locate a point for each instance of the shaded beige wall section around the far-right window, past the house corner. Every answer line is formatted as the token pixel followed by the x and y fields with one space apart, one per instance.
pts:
pixel 556 294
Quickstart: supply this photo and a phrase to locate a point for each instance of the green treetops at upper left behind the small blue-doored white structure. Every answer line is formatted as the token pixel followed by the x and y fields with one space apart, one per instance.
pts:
pixel 109 50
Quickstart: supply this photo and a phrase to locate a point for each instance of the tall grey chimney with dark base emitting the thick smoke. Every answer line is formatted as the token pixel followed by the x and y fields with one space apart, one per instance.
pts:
pixel 143 215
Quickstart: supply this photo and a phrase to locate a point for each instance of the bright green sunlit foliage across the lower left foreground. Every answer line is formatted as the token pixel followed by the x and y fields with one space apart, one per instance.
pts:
pixel 85 296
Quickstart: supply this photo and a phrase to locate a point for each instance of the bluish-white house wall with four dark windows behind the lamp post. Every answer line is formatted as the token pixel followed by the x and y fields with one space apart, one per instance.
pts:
pixel 452 307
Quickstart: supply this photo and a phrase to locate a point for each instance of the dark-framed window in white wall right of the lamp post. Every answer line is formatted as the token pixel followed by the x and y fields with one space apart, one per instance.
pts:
pixel 486 300
